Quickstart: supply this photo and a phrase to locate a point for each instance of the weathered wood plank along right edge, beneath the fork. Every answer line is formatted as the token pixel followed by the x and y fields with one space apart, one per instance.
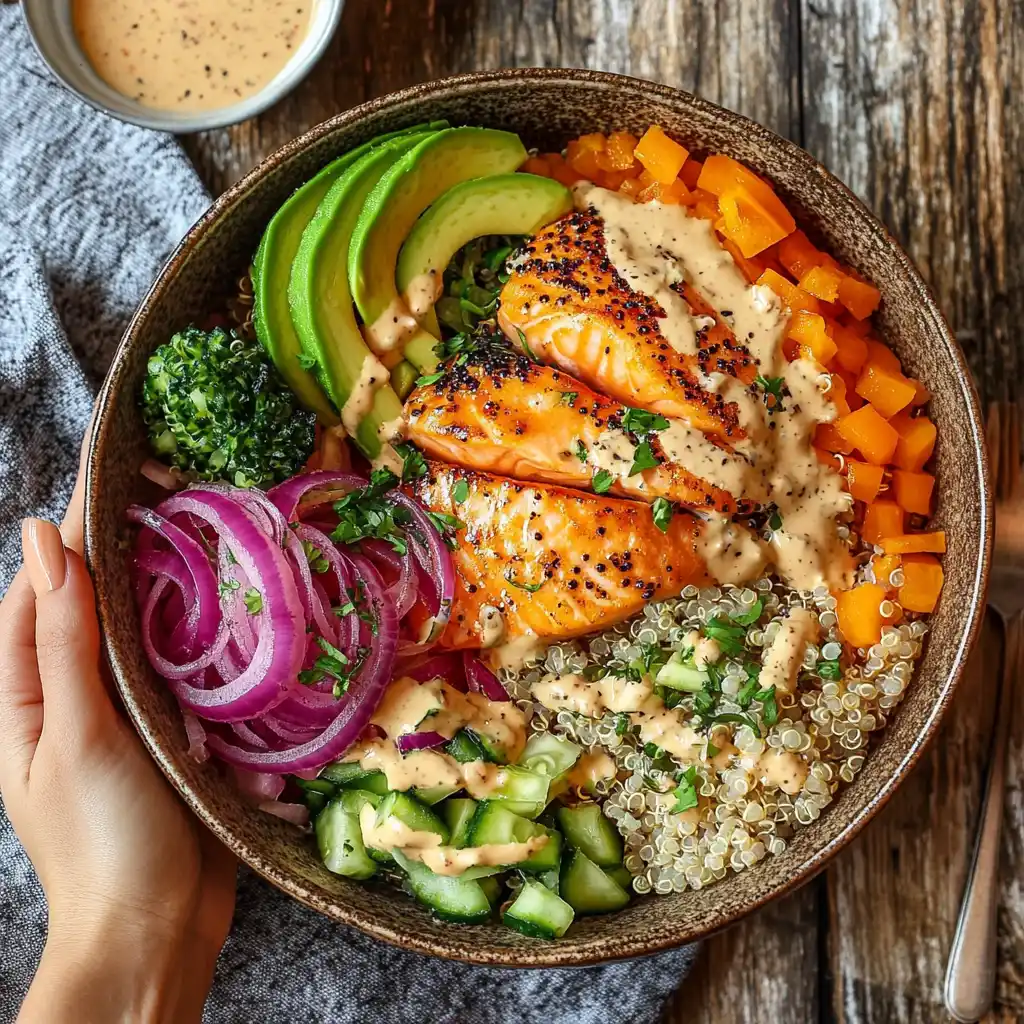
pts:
pixel 910 104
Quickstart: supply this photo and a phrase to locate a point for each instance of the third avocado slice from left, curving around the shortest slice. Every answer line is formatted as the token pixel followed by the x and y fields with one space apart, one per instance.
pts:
pixel 389 216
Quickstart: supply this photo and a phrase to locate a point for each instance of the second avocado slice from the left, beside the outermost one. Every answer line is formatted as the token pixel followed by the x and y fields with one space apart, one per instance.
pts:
pixel 321 304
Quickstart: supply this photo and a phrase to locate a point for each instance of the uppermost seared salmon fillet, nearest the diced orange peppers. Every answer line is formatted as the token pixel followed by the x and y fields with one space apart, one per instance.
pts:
pixel 567 304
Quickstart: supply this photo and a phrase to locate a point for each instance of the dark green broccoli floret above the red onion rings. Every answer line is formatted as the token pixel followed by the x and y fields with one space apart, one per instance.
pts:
pixel 217 408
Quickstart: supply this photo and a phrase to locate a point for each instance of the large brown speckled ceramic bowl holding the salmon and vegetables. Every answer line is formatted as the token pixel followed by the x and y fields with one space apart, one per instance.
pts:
pixel 547 108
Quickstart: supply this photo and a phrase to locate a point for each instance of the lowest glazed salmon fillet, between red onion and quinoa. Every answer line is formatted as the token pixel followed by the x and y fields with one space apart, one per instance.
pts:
pixel 552 563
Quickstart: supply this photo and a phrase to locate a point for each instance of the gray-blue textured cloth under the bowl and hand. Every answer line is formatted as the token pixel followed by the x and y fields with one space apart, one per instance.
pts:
pixel 90 208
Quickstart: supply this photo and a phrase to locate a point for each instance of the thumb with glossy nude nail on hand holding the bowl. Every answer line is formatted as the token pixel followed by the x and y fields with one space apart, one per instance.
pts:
pixel 67 631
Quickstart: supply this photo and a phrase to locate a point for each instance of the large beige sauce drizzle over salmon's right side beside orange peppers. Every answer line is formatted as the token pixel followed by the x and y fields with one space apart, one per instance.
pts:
pixel 654 247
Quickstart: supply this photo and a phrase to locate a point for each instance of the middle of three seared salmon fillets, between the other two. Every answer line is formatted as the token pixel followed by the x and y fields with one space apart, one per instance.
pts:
pixel 502 413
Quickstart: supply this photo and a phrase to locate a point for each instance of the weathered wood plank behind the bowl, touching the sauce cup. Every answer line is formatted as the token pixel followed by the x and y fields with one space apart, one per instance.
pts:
pixel 750 66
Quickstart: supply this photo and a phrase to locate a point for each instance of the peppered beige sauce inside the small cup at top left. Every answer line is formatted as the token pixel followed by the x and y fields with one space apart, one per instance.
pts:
pixel 190 55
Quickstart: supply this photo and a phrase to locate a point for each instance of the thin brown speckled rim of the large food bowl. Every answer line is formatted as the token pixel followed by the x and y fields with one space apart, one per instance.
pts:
pixel 604 948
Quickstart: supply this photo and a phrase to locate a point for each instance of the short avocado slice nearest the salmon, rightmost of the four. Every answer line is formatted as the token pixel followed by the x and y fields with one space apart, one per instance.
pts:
pixel 499 204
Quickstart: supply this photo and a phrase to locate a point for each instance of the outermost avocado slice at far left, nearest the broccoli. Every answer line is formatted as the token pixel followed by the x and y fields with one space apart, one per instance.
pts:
pixel 272 270
